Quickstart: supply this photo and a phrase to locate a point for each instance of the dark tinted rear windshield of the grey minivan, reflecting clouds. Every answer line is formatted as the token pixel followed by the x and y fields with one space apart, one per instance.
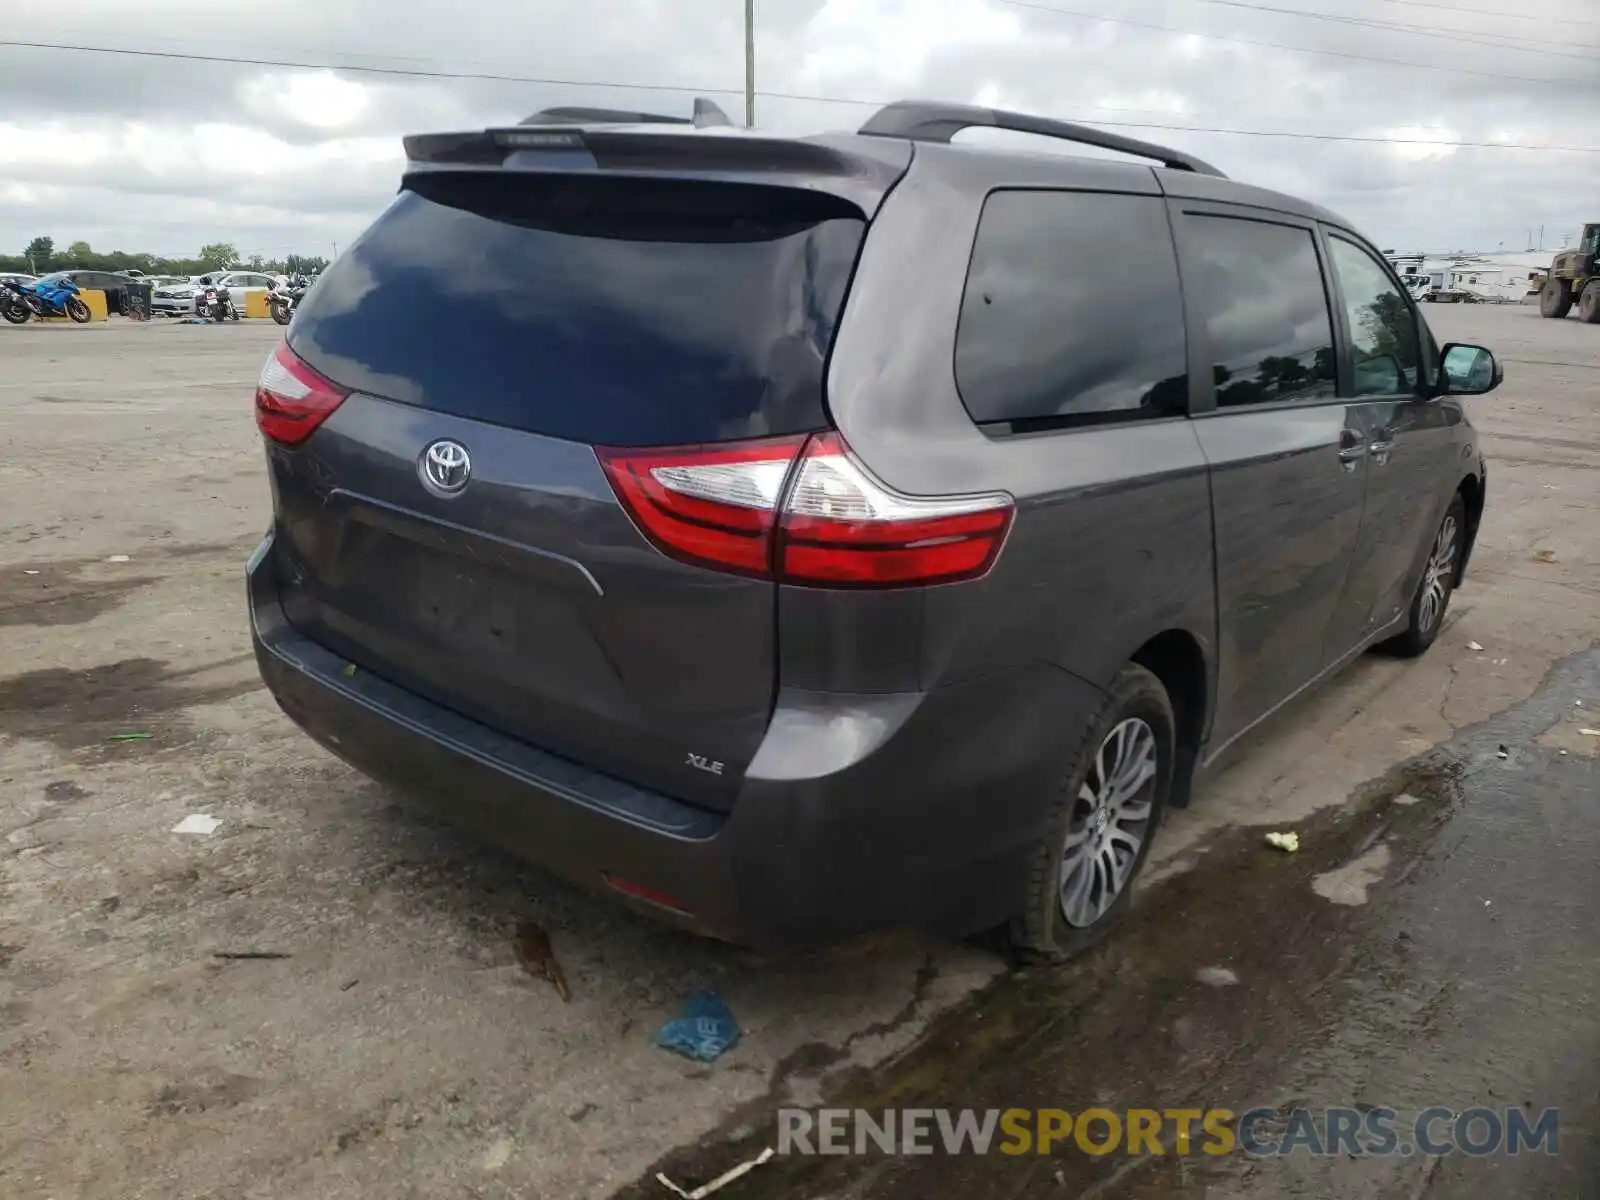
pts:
pixel 607 311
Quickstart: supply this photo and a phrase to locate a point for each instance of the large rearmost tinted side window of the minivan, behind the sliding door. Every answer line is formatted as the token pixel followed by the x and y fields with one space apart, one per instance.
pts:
pixel 1052 332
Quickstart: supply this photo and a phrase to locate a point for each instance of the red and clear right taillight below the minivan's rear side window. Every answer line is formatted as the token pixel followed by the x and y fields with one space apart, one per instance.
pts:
pixel 804 511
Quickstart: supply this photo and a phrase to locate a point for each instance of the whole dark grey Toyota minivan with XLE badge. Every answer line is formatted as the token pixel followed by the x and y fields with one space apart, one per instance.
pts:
pixel 897 559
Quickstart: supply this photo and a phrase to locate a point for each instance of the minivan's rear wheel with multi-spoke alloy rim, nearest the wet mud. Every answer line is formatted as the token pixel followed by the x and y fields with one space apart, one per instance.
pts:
pixel 1113 793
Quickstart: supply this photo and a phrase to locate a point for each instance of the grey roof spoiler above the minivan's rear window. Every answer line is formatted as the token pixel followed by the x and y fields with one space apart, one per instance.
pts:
pixel 847 169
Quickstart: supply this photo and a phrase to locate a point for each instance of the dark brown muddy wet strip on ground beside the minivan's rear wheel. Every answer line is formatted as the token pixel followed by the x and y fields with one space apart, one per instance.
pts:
pixel 1138 1023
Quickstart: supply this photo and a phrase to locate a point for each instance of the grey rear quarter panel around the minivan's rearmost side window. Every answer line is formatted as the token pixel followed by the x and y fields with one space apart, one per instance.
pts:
pixel 1113 537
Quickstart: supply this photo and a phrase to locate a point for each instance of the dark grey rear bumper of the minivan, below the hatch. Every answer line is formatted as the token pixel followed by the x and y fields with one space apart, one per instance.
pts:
pixel 857 814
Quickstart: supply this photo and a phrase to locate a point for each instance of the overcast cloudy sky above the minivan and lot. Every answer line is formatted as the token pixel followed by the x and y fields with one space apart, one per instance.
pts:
pixel 161 153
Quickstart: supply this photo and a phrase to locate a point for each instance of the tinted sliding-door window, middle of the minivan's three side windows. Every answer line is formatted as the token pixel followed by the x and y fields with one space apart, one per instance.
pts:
pixel 1260 287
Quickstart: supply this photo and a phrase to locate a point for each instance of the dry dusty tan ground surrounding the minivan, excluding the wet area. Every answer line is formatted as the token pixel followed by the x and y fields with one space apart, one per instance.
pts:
pixel 391 1047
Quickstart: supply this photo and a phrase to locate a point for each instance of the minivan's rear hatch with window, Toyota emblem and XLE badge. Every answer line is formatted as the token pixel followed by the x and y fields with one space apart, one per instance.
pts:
pixel 522 321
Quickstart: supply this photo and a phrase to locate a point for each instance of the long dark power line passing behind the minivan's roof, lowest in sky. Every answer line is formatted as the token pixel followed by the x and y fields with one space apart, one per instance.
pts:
pixel 799 97
